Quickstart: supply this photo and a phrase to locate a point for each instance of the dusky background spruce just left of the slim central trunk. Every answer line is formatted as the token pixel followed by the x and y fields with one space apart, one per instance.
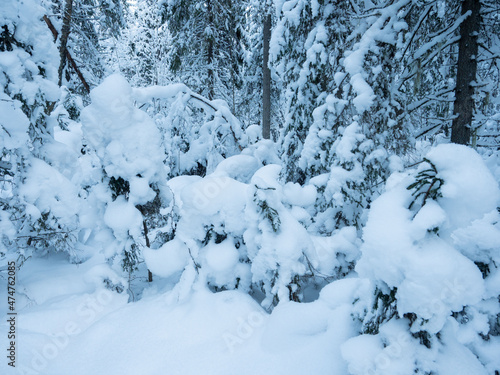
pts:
pixel 206 53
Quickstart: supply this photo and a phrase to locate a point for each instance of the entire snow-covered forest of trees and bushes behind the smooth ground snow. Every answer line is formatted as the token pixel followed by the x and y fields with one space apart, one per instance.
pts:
pixel 291 150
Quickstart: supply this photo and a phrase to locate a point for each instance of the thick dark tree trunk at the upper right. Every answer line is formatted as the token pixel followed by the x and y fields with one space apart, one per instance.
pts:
pixel 466 73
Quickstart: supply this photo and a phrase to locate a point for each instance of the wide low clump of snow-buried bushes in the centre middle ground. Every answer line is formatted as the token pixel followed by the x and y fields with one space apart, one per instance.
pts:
pixel 241 228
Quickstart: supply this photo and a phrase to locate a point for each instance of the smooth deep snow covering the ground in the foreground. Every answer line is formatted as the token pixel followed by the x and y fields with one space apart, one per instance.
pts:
pixel 72 326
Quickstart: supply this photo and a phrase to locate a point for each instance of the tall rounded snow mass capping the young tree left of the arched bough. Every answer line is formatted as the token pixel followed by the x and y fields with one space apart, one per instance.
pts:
pixel 125 138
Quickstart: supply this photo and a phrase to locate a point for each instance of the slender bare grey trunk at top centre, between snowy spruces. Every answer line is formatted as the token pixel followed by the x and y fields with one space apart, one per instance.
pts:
pixel 266 80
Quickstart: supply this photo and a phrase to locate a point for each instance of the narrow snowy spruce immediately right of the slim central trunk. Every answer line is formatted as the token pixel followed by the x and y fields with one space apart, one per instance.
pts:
pixel 304 42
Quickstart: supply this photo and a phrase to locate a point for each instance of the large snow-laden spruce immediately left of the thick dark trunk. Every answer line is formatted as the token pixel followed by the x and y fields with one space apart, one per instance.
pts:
pixel 380 88
